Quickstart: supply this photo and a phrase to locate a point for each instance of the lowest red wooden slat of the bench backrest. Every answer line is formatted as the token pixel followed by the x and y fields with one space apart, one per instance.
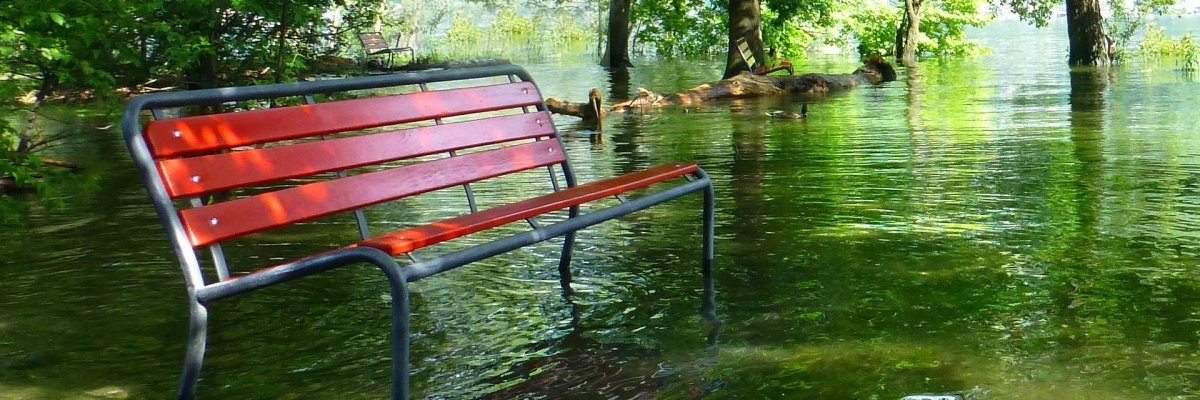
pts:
pixel 211 224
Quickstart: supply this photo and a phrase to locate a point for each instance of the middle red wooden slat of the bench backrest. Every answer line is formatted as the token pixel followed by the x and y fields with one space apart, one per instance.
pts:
pixel 196 176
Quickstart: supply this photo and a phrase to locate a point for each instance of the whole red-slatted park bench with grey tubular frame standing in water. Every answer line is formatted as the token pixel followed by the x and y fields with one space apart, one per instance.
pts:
pixel 220 177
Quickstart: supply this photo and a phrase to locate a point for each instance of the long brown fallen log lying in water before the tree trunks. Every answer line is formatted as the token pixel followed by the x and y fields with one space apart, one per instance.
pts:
pixel 875 71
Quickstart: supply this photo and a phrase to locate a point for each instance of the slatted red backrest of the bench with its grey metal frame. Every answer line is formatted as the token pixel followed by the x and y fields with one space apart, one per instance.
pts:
pixel 501 129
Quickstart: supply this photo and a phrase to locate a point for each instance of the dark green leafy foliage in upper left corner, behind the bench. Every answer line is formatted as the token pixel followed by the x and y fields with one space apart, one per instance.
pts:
pixel 70 44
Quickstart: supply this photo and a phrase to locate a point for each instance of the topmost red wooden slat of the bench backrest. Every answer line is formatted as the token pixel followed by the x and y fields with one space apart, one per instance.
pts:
pixel 224 132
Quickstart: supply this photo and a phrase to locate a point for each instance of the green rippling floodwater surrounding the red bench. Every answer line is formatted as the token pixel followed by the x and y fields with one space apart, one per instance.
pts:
pixel 999 228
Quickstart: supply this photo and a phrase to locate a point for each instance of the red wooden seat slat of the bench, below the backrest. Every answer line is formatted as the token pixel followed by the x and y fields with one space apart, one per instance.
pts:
pixel 403 242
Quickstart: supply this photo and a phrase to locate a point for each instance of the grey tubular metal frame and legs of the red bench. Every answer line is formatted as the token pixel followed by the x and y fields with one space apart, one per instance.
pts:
pixel 201 294
